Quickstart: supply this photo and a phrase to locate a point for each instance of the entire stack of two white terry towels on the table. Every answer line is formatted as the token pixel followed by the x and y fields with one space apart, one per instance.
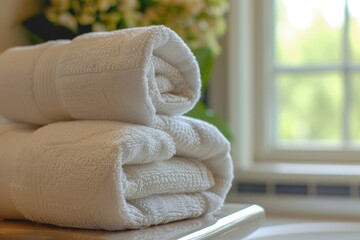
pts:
pixel 97 139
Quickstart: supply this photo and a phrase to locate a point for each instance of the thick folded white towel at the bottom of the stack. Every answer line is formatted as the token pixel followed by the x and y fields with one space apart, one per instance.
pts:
pixel 112 175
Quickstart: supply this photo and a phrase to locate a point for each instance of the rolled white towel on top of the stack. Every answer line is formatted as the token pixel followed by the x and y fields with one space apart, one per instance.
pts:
pixel 128 75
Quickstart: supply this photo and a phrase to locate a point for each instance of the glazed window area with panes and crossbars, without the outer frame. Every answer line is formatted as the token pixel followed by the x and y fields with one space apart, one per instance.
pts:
pixel 315 72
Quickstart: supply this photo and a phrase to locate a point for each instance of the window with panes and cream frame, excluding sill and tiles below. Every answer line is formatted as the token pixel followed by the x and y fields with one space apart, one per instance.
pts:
pixel 304 98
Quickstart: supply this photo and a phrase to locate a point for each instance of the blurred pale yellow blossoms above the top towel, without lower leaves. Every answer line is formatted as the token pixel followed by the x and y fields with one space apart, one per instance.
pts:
pixel 198 22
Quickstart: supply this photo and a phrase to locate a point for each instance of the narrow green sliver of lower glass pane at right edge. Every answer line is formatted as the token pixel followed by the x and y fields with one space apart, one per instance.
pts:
pixel 355 109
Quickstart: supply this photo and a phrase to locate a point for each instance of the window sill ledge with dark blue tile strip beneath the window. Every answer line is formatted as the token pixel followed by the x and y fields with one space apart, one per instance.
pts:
pixel 294 189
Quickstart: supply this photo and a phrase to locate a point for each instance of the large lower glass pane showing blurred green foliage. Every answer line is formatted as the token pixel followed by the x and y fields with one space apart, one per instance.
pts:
pixel 309 108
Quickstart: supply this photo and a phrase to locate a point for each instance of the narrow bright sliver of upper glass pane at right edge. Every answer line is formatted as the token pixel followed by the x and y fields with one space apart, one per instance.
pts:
pixel 354 10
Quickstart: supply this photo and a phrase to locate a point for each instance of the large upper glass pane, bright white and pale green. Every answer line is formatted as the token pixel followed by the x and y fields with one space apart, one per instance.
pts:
pixel 308 31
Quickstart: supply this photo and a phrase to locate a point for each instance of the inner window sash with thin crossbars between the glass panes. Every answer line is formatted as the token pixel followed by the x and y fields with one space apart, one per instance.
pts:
pixel 316 153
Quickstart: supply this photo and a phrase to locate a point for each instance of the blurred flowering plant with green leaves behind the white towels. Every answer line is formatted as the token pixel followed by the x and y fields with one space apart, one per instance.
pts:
pixel 198 22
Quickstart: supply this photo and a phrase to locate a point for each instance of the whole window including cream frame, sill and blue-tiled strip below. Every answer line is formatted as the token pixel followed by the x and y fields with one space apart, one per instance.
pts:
pixel 290 156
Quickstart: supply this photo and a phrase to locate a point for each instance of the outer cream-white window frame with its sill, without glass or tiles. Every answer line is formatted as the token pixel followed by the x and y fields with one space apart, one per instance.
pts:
pixel 247 71
